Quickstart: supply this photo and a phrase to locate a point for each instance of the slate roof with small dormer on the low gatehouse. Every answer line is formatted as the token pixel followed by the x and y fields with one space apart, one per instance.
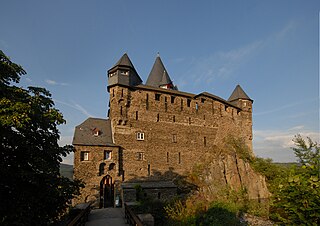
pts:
pixel 93 131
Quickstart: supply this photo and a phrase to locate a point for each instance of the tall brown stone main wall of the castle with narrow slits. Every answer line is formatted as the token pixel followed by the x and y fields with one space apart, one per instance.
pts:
pixel 178 129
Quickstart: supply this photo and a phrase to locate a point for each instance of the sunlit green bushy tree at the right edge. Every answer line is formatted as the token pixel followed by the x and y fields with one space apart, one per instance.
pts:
pixel 297 200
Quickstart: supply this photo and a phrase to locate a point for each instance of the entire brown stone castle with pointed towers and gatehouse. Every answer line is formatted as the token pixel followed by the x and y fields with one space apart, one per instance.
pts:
pixel 153 133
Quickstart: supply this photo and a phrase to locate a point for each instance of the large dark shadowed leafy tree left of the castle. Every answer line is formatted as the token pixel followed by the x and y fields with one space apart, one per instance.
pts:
pixel 31 189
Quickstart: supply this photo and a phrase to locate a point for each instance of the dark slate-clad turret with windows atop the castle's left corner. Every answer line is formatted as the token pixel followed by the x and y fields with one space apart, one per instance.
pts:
pixel 123 73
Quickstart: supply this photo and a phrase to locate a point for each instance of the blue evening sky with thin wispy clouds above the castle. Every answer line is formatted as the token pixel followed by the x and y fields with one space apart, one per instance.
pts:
pixel 270 48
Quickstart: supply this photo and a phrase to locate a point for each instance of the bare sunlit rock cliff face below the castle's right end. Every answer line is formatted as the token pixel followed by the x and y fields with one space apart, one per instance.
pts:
pixel 229 170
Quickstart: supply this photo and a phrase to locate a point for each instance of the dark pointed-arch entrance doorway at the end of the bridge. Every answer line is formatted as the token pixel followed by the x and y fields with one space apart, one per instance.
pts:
pixel 106 192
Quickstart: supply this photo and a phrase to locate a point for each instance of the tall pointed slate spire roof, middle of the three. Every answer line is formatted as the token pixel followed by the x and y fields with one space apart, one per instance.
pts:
pixel 158 75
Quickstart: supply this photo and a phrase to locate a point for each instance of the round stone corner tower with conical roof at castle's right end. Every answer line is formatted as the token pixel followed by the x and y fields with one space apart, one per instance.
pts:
pixel 243 101
